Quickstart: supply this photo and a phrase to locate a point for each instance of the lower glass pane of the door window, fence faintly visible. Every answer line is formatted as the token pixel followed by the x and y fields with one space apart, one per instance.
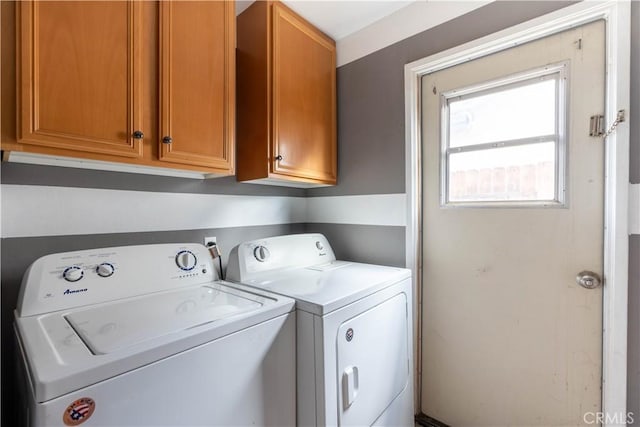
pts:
pixel 520 173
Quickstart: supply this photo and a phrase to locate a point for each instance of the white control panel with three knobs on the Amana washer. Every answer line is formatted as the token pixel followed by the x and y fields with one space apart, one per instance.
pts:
pixel 72 279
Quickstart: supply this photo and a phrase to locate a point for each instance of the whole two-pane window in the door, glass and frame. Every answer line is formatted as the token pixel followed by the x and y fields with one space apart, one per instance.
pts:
pixel 503 142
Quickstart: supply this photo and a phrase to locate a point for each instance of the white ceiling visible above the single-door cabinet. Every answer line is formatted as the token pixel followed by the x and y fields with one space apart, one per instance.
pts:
pixel 340 18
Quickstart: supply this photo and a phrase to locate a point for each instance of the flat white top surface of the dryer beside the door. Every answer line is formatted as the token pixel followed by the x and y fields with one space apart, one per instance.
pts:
pixel 323 288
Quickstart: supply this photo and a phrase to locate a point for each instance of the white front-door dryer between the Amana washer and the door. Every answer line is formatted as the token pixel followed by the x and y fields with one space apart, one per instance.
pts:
pixel 354 329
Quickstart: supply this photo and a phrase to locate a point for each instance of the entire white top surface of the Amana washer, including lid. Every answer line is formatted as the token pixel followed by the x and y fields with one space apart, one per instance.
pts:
pixel 59 360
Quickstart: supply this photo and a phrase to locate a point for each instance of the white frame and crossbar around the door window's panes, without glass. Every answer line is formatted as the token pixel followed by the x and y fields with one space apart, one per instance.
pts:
pixel 558 72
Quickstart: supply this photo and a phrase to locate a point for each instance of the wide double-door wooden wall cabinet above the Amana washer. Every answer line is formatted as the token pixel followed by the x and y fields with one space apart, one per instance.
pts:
pixel 111 80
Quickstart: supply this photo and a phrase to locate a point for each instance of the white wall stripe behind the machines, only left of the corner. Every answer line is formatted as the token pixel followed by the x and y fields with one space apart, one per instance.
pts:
pixel 35 210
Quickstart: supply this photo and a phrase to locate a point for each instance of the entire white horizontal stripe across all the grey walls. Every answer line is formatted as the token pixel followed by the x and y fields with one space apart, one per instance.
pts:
pixel 35 210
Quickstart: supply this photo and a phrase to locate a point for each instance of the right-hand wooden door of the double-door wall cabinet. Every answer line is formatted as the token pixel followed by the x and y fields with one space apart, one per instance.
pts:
pixel 197 78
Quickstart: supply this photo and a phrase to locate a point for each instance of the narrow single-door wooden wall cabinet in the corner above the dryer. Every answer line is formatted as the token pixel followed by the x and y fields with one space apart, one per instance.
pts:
pixel 286 87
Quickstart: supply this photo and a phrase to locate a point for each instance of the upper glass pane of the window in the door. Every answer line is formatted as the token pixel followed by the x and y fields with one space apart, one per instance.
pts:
pixel 518 112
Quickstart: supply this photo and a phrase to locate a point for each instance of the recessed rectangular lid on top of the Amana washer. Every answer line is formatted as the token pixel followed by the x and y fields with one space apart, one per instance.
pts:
pixel 115 326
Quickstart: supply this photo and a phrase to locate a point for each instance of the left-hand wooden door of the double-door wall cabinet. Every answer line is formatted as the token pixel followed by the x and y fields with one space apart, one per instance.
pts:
pixel 79 76
